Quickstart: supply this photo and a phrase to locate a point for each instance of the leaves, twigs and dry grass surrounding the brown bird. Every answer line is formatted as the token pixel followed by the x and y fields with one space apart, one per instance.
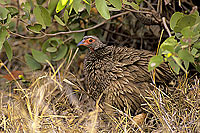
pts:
pixel 41 69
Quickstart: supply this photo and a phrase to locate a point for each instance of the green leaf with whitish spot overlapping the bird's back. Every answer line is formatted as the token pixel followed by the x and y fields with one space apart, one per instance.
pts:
pixel 154 62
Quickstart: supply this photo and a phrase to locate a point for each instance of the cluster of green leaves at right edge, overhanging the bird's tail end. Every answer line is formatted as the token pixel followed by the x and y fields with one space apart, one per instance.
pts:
pixel 183 47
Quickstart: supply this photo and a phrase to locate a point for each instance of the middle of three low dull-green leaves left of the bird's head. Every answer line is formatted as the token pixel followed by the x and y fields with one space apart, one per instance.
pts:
pixel 40 56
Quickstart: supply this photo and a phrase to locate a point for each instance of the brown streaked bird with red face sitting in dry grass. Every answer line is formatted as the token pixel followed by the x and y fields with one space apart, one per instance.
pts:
pixel 119 75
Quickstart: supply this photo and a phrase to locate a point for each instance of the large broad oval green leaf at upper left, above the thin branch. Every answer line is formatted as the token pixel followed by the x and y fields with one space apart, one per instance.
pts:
pixel 42 16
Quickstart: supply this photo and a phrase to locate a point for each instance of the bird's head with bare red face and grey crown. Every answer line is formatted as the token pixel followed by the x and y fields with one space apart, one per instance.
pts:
pixel 92 42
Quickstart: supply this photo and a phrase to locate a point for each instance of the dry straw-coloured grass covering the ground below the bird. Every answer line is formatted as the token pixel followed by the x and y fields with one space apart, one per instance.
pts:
pixel 53 103
